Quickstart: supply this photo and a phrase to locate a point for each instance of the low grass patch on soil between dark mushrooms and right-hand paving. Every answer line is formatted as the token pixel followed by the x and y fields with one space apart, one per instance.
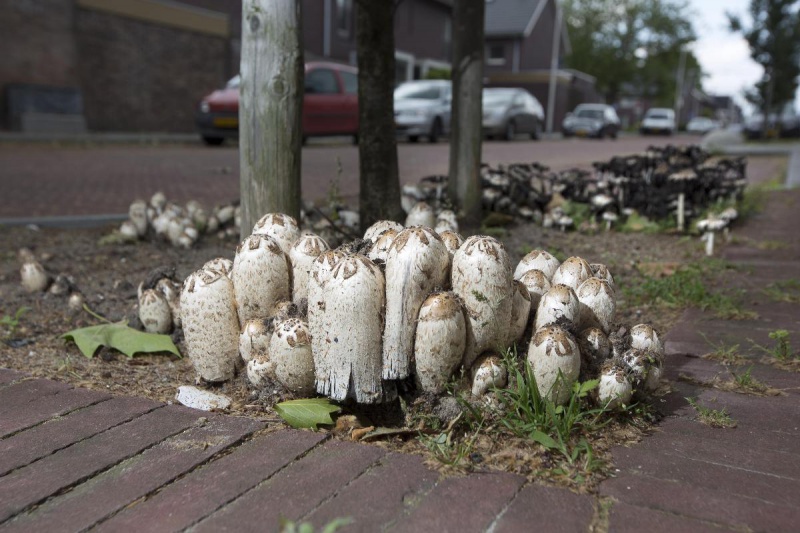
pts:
pixel 689 286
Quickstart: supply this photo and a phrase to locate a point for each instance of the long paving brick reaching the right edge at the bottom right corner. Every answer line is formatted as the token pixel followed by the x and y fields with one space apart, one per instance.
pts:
pixel 701 503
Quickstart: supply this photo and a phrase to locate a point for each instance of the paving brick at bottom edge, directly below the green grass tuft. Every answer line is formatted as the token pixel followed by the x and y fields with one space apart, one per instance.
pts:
pixel 549 508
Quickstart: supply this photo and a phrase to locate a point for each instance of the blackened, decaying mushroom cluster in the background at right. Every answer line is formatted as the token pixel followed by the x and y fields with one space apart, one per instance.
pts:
pixel 657 184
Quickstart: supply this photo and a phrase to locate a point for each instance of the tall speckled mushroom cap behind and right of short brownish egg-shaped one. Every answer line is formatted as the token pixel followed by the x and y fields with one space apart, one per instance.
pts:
pixel 481 277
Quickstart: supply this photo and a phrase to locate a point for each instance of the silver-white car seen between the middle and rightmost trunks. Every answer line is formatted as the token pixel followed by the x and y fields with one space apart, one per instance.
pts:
pixel 422 109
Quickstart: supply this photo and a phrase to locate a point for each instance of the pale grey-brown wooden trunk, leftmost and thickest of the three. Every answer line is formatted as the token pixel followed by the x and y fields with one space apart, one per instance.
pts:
pixel 270 109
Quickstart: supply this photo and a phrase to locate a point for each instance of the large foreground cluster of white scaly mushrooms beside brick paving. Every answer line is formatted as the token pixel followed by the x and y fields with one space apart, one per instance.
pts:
pixel 406 303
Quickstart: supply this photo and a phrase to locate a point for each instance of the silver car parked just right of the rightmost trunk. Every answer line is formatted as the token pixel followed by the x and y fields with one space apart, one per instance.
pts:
pixel 507 112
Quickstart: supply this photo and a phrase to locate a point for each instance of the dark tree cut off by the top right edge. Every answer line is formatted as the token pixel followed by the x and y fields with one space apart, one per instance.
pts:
pixel 774 39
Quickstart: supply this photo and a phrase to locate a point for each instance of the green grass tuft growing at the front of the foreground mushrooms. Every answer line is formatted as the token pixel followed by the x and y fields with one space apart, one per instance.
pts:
pixel 528 414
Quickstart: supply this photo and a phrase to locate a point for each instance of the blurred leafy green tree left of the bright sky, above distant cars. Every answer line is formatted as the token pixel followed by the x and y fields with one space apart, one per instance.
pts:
pixel 634 43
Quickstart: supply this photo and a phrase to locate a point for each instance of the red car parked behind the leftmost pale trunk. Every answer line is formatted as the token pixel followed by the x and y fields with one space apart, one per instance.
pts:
pixel 330 105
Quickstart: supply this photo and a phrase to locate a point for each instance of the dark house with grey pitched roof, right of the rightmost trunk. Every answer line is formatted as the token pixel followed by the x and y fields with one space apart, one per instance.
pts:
pixel 522 39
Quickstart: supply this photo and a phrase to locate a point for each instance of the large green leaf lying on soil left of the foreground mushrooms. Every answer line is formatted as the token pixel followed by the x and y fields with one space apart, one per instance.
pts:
pixel 120 336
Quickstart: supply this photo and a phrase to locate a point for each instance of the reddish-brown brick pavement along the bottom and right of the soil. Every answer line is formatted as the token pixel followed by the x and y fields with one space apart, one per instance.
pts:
pixel 74 459
